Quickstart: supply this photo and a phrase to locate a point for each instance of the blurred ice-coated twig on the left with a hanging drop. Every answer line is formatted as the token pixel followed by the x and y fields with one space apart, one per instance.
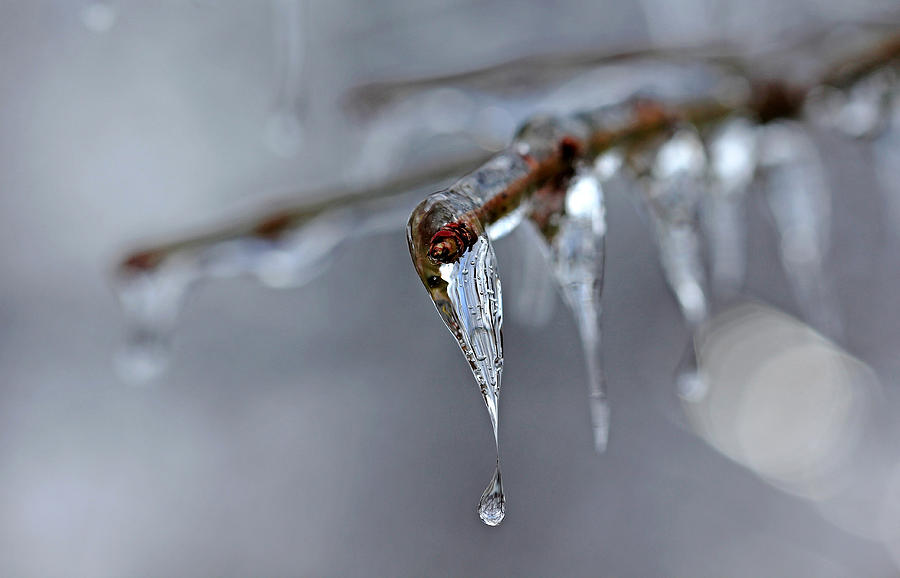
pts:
pixel 153 286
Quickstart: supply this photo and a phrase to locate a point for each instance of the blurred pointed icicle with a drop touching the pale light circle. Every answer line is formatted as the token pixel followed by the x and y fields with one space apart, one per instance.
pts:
pixel 675 184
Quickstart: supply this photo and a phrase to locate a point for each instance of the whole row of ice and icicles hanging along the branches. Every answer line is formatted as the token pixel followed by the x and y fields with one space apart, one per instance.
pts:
pixel 693 181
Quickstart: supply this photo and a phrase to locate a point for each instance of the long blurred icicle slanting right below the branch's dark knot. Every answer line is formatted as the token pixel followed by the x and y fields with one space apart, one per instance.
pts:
pixel 800 203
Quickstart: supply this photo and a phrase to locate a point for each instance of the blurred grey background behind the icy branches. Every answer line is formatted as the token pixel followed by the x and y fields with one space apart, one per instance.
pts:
pixel 334 429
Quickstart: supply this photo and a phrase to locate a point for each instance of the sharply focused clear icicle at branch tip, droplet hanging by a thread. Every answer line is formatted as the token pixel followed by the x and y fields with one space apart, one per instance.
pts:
pixel 467 294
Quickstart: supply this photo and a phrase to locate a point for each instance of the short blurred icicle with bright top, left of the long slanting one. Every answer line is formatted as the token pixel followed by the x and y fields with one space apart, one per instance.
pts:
pixel 732 165
